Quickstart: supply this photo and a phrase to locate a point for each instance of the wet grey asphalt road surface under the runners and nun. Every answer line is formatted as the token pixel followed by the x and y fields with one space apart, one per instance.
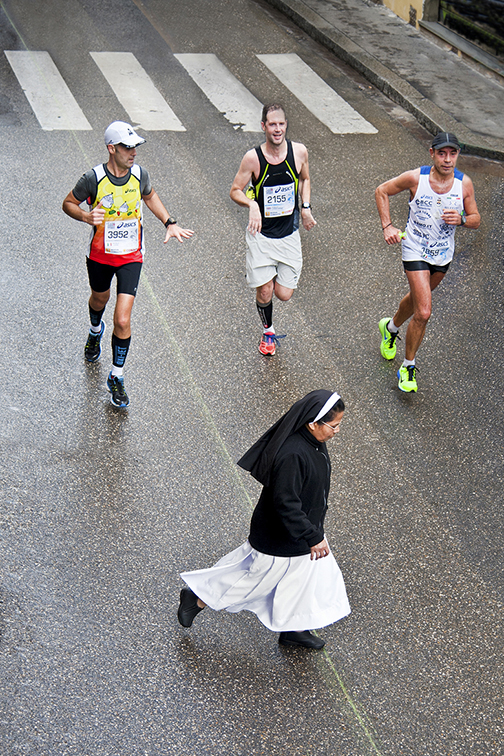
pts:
pixel 102 509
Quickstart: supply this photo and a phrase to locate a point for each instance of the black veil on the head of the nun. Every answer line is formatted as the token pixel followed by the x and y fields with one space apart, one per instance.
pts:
pixel 258 460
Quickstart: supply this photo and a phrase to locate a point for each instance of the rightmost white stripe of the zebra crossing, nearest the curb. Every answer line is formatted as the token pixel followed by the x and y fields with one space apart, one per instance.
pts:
pixel 316 95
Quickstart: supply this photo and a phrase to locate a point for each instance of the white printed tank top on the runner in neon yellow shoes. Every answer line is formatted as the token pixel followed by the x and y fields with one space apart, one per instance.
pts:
pixel 428 237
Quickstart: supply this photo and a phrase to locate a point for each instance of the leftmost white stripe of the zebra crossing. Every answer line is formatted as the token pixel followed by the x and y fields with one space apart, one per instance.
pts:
pixel 51 100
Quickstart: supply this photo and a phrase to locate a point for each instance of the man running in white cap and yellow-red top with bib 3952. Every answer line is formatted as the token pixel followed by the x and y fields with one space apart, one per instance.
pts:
pixel 114 192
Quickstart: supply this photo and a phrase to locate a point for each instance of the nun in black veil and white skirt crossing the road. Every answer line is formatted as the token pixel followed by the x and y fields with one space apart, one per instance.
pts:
pixel 285 572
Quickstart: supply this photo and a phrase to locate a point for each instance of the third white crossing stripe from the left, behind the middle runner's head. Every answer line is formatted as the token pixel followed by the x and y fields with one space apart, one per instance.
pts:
pixel 225 92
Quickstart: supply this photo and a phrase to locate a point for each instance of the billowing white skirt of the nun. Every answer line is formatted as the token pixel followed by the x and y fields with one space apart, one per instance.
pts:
pixel 286 593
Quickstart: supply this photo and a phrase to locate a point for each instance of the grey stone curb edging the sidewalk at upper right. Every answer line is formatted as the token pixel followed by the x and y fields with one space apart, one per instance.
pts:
pixel 429 115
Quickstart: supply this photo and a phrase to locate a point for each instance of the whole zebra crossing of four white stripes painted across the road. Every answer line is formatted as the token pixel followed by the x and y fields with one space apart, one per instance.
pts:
pixel 56 108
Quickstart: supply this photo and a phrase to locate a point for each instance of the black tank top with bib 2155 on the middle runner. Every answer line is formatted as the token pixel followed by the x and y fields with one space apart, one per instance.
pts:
pixel 276 193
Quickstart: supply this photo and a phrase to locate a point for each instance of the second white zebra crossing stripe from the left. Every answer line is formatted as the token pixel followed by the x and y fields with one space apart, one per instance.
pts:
pixel 136 92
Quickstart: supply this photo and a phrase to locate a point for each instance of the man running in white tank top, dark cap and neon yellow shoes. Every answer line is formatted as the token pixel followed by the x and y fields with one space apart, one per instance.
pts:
pixel 441 198
